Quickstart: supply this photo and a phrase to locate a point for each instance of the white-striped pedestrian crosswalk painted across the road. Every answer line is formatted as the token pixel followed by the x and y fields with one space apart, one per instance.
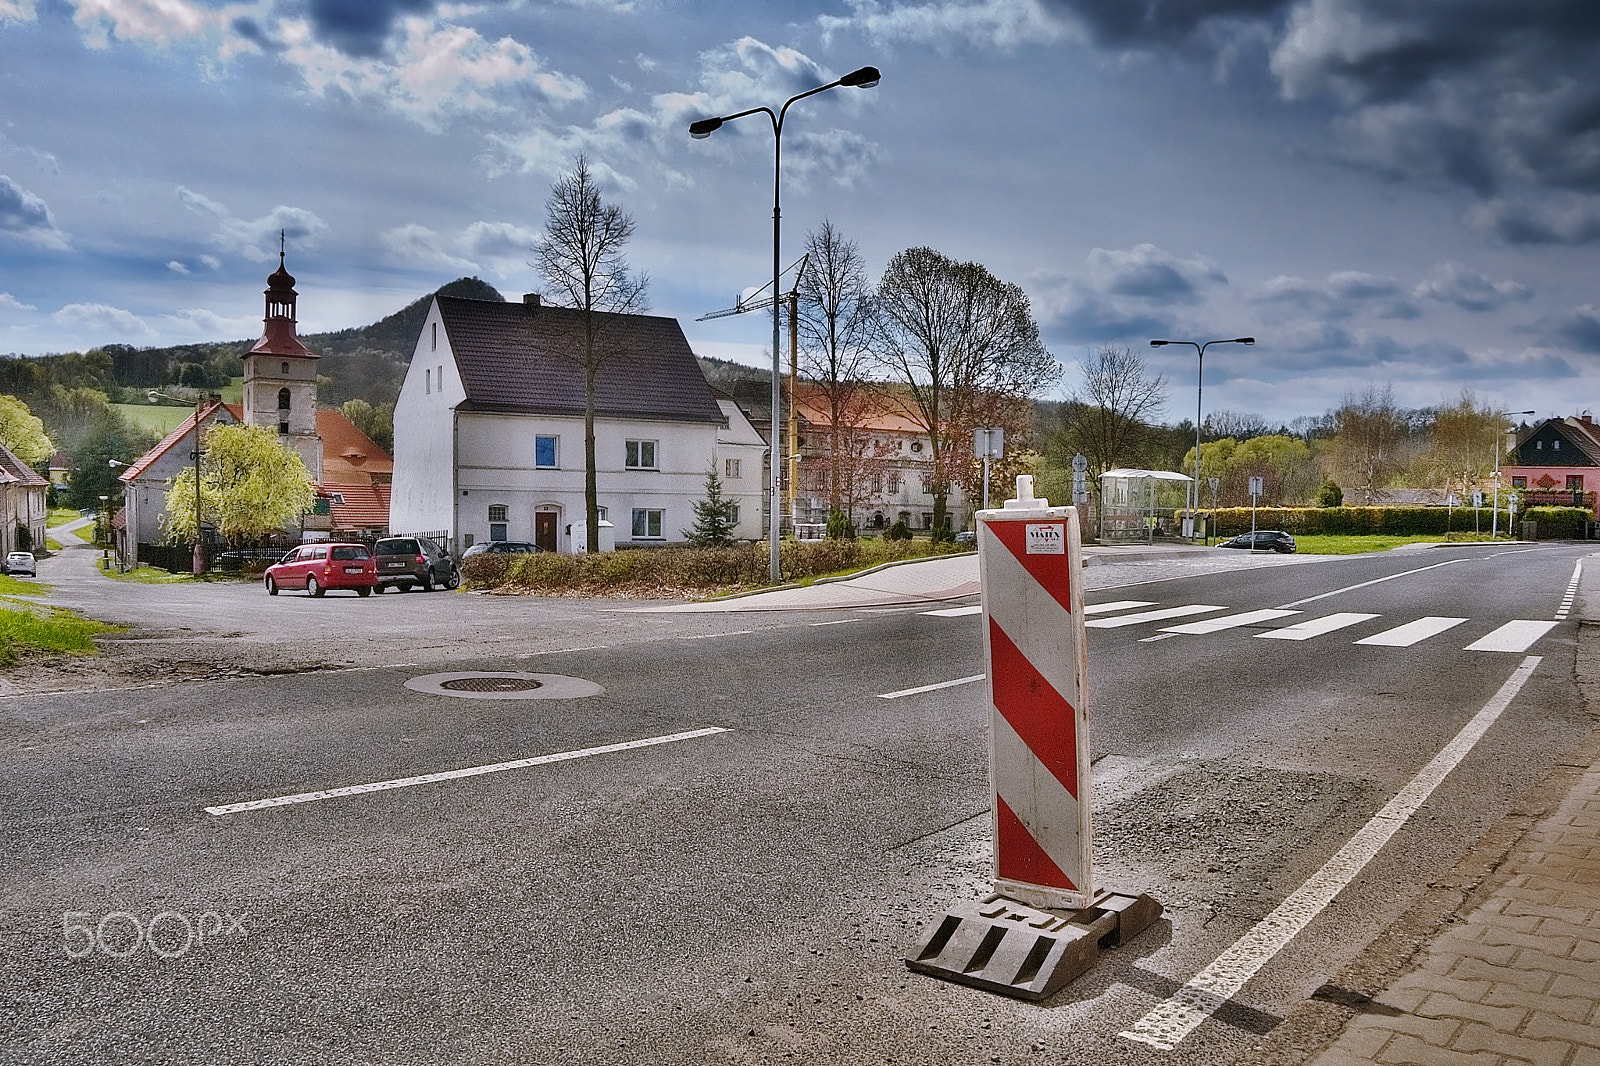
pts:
pixel 1514 636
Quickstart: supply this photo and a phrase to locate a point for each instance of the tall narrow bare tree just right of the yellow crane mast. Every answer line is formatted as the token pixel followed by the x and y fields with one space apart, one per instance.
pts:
pixel 836 337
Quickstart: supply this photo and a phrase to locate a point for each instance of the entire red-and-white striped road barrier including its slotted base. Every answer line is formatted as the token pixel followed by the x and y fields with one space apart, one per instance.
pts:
pixel 1046 923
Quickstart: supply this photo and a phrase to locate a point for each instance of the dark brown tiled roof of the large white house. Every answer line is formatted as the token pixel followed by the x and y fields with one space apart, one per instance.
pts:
pixel 513 358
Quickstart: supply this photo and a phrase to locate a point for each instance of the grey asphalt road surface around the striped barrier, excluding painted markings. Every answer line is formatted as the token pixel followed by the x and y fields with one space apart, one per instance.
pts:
pixel 743 892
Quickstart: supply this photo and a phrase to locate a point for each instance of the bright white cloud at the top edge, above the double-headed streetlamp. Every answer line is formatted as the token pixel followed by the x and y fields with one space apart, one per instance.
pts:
pixel 999 23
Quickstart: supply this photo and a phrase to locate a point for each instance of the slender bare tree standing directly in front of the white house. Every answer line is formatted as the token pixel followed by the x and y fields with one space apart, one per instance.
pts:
pixel 582 258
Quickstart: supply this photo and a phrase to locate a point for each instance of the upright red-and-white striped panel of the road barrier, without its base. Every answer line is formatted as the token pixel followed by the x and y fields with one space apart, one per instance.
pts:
pixel 1030 563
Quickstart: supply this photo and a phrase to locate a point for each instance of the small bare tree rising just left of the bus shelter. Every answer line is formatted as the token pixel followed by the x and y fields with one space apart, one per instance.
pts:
pixel 1108 419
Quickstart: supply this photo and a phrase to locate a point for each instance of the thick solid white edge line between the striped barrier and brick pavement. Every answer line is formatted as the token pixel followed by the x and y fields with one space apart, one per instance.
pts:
pixel 1175 1019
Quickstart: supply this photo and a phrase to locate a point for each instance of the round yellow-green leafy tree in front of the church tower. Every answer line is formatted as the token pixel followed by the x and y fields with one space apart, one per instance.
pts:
pixel 250 486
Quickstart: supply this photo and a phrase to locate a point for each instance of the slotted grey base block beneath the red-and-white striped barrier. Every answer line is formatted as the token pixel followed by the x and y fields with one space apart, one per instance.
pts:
pixel 1006 947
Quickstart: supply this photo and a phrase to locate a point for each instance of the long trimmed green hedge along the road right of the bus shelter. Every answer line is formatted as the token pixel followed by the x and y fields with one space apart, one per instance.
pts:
pixel 1554 523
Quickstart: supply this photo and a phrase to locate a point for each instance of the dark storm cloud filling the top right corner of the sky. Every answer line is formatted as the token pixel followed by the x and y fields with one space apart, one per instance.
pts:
pixel 1489 95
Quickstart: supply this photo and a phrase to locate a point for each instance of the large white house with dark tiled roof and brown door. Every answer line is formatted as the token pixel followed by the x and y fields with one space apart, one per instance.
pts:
pixel 490 428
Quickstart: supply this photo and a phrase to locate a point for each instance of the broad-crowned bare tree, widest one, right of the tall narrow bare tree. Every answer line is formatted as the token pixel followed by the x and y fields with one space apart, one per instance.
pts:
pixel 954 335
